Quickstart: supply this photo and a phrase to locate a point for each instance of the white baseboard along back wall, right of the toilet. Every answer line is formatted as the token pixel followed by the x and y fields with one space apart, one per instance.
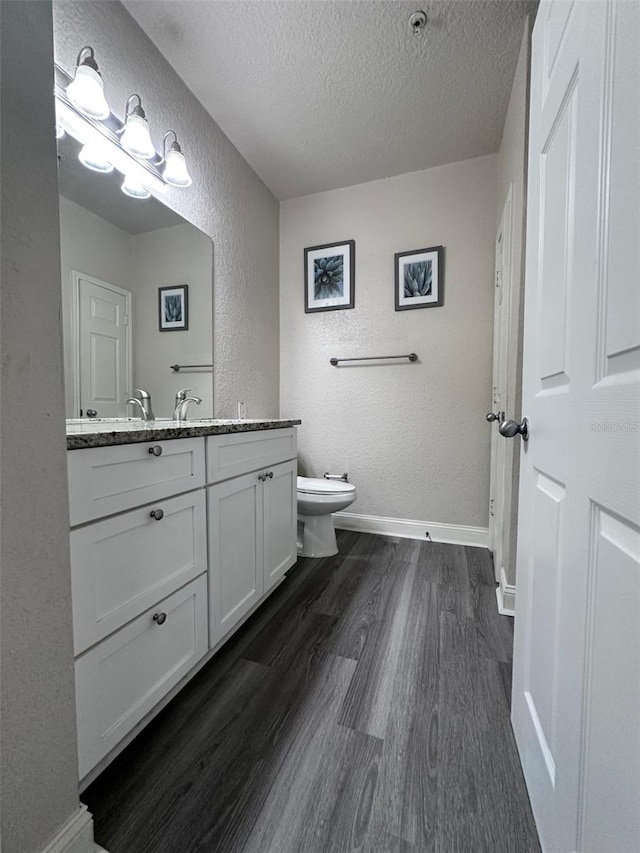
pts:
pixel 455 534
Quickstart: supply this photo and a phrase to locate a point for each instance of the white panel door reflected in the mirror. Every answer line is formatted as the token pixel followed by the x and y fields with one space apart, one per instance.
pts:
pixel 104 346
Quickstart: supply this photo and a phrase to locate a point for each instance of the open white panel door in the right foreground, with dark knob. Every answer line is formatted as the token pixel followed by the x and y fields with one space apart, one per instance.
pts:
pixel 576 694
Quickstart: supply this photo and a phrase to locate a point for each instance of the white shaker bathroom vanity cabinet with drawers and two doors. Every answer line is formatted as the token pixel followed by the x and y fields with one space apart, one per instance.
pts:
pixel 173 543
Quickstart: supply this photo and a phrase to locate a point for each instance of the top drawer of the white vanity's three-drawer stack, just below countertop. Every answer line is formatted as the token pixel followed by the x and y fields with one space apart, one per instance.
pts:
pixel 106 480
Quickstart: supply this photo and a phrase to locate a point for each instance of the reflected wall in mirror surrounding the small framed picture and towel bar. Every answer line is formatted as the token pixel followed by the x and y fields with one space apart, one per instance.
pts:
pixel 166 258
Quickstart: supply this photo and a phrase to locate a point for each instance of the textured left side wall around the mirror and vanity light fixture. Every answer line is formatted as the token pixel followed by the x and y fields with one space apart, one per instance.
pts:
pixel 227 200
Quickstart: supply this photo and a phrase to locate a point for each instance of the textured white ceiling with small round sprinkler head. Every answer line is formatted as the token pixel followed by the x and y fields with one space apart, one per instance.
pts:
pixel 319 94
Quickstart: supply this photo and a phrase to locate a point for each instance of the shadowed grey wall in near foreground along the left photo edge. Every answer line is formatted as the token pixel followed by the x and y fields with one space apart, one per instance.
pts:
pixel 38 769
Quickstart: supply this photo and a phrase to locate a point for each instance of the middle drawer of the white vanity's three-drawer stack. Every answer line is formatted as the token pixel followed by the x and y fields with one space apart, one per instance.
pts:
pixel 123 565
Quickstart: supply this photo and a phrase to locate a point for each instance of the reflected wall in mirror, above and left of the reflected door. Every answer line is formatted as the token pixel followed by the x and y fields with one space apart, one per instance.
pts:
pixel 91 245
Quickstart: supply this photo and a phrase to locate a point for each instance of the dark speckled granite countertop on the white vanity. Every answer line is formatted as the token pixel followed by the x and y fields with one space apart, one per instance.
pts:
pixel 100 433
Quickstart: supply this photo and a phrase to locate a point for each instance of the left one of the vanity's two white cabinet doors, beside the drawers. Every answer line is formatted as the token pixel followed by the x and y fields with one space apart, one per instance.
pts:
pixel 235 551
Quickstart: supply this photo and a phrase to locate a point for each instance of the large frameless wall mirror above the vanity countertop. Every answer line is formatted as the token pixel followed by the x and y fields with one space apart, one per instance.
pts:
pixel 116 254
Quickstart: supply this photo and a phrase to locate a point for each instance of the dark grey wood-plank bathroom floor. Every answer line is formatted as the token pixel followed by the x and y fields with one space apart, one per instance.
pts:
pixel 364 707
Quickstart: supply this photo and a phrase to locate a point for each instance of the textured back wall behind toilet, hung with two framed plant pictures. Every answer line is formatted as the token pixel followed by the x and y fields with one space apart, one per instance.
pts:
pixel 411 436
